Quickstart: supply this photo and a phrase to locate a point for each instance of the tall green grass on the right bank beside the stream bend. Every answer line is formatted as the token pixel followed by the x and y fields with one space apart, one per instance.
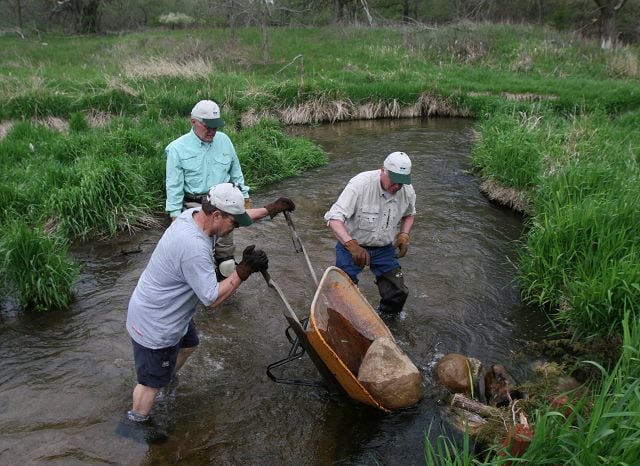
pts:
pixel 583 178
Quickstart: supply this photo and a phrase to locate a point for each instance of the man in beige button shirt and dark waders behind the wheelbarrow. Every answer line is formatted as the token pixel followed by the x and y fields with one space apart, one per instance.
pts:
pixel 371 208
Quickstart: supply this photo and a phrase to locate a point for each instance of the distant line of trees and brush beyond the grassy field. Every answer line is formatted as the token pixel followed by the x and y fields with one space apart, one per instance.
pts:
pixel 614 21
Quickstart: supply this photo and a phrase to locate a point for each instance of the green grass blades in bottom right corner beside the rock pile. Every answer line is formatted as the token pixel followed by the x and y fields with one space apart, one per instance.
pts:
pixel 603 428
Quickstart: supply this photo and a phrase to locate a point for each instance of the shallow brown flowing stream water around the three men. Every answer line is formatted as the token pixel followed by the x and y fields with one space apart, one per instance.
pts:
pixel 66 377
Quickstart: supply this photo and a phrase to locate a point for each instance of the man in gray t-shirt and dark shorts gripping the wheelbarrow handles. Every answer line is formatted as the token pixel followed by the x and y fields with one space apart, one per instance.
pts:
pixel 181 273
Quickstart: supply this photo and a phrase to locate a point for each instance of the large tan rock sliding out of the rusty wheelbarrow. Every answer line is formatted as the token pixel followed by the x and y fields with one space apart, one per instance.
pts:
pixel 389 375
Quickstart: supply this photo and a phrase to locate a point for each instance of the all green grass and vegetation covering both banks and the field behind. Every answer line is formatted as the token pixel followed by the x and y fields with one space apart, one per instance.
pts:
pixel 85 121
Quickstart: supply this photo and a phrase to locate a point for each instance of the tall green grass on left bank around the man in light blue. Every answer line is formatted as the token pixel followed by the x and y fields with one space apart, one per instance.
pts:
pixel 97 182
